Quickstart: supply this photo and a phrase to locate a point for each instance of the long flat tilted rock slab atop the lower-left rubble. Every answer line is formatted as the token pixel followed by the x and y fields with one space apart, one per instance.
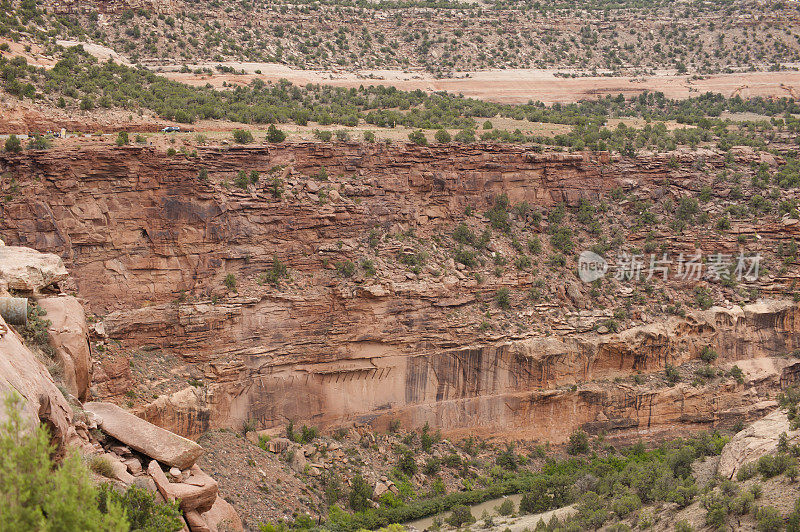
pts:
pixel 145 437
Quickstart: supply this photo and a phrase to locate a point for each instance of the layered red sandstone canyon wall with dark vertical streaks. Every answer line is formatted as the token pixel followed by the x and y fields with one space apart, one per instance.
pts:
pixel 150 245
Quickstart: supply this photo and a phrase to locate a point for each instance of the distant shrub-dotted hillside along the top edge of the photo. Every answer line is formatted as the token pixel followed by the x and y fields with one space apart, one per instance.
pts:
pixel 439 36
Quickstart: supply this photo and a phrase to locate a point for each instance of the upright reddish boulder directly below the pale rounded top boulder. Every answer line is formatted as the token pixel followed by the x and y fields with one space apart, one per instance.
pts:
pixel 69 336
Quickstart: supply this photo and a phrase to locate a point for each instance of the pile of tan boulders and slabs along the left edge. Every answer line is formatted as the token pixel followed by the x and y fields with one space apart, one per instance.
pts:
pixel 137 452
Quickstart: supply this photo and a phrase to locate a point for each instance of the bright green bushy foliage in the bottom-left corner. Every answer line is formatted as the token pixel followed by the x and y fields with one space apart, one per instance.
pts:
pixel 39 495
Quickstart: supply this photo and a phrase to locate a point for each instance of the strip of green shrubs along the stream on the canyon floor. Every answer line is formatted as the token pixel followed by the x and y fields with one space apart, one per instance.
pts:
pixel 620 483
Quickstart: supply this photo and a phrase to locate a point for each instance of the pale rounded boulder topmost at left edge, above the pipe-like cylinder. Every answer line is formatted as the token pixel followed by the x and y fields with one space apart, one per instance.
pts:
pixel 28 270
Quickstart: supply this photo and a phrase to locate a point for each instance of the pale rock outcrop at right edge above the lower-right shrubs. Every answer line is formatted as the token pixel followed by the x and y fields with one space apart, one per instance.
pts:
pixel 755 441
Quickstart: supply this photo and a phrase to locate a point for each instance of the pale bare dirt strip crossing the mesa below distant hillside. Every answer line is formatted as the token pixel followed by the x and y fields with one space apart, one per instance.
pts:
pixel 519 86
